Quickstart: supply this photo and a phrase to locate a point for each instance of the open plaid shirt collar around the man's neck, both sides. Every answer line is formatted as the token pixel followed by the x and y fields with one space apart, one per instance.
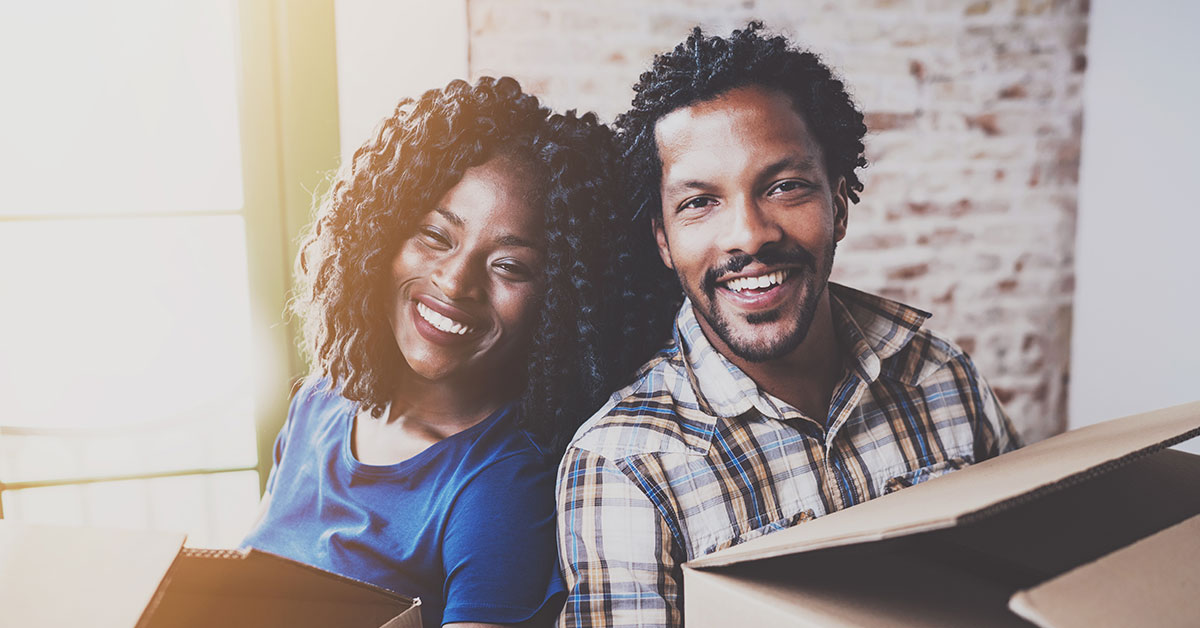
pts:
pixel 871 330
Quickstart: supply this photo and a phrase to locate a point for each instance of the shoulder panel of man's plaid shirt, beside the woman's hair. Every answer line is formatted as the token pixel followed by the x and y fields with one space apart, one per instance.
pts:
pixel 646 417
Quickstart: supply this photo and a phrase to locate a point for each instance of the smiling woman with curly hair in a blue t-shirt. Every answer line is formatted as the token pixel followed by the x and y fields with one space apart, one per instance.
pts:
pixel 452 297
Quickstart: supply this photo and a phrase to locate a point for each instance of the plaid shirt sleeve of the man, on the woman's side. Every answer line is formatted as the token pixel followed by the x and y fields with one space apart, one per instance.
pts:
pixel 620 558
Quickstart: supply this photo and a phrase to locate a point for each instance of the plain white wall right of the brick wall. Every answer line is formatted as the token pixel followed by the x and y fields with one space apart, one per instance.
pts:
pixel 1137 321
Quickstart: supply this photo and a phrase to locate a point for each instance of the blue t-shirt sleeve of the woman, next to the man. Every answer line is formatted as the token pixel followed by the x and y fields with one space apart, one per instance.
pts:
pixel 499 551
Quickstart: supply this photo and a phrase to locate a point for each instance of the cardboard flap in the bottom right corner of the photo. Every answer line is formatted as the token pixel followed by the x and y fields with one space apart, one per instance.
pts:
pixel 1155 582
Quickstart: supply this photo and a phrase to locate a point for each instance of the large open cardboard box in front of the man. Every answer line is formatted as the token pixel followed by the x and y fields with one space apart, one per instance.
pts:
pixel 1097 527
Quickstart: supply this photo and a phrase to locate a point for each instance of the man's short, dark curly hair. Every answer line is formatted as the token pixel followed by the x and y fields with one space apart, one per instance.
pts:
pixel 704 68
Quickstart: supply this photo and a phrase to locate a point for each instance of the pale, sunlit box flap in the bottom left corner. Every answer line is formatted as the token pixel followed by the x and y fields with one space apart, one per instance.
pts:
pixel 56 577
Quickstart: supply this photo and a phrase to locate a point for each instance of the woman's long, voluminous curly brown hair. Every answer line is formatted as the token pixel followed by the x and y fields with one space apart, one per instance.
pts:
pixel 416 157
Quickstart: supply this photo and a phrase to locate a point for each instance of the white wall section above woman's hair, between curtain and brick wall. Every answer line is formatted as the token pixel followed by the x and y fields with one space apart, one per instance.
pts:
pixel 388 50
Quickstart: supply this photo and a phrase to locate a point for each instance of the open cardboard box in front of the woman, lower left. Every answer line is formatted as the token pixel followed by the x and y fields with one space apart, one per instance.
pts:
pixel 63 577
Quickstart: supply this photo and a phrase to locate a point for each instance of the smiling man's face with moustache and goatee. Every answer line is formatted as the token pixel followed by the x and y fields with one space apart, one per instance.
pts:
pixel 751 219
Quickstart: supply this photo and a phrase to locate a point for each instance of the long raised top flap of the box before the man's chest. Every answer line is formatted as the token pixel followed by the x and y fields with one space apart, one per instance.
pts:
pixel 980 491
